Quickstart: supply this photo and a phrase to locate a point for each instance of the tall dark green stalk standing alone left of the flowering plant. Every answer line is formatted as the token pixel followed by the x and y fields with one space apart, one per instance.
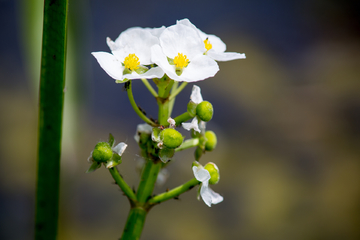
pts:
pixel 51 100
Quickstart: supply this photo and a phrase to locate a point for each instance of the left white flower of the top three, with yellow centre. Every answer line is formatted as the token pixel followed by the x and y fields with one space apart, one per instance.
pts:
pixel 130 53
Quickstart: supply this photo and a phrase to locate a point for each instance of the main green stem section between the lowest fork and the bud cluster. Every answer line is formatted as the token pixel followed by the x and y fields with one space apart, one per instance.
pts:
pixel 148 179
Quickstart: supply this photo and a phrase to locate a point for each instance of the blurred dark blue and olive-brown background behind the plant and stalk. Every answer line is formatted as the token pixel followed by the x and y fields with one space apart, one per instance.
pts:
pixel 287 120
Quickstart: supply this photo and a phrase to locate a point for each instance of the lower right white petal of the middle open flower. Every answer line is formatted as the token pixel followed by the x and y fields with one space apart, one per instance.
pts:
pixel 199 68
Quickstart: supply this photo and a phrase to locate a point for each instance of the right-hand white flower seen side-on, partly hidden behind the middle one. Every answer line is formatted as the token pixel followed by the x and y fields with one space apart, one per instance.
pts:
pixel 215 48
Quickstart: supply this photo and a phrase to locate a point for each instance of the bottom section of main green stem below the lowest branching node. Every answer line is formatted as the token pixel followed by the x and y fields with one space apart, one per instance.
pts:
pixel 134 224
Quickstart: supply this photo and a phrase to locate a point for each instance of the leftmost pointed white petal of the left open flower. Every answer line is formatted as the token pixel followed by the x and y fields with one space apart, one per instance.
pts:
pixel 110 64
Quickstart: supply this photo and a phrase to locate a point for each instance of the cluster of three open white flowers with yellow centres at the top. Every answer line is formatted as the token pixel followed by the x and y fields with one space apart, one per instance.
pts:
pixel 181 51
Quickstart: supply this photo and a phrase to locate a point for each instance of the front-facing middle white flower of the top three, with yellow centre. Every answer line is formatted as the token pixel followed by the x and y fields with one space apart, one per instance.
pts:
pixel 180 55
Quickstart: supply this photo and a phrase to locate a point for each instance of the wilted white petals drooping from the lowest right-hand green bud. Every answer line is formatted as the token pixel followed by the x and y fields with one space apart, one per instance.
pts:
pixel 206 193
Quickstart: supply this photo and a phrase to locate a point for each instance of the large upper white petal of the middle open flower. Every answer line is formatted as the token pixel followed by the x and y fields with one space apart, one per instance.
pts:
pixel 180 38
